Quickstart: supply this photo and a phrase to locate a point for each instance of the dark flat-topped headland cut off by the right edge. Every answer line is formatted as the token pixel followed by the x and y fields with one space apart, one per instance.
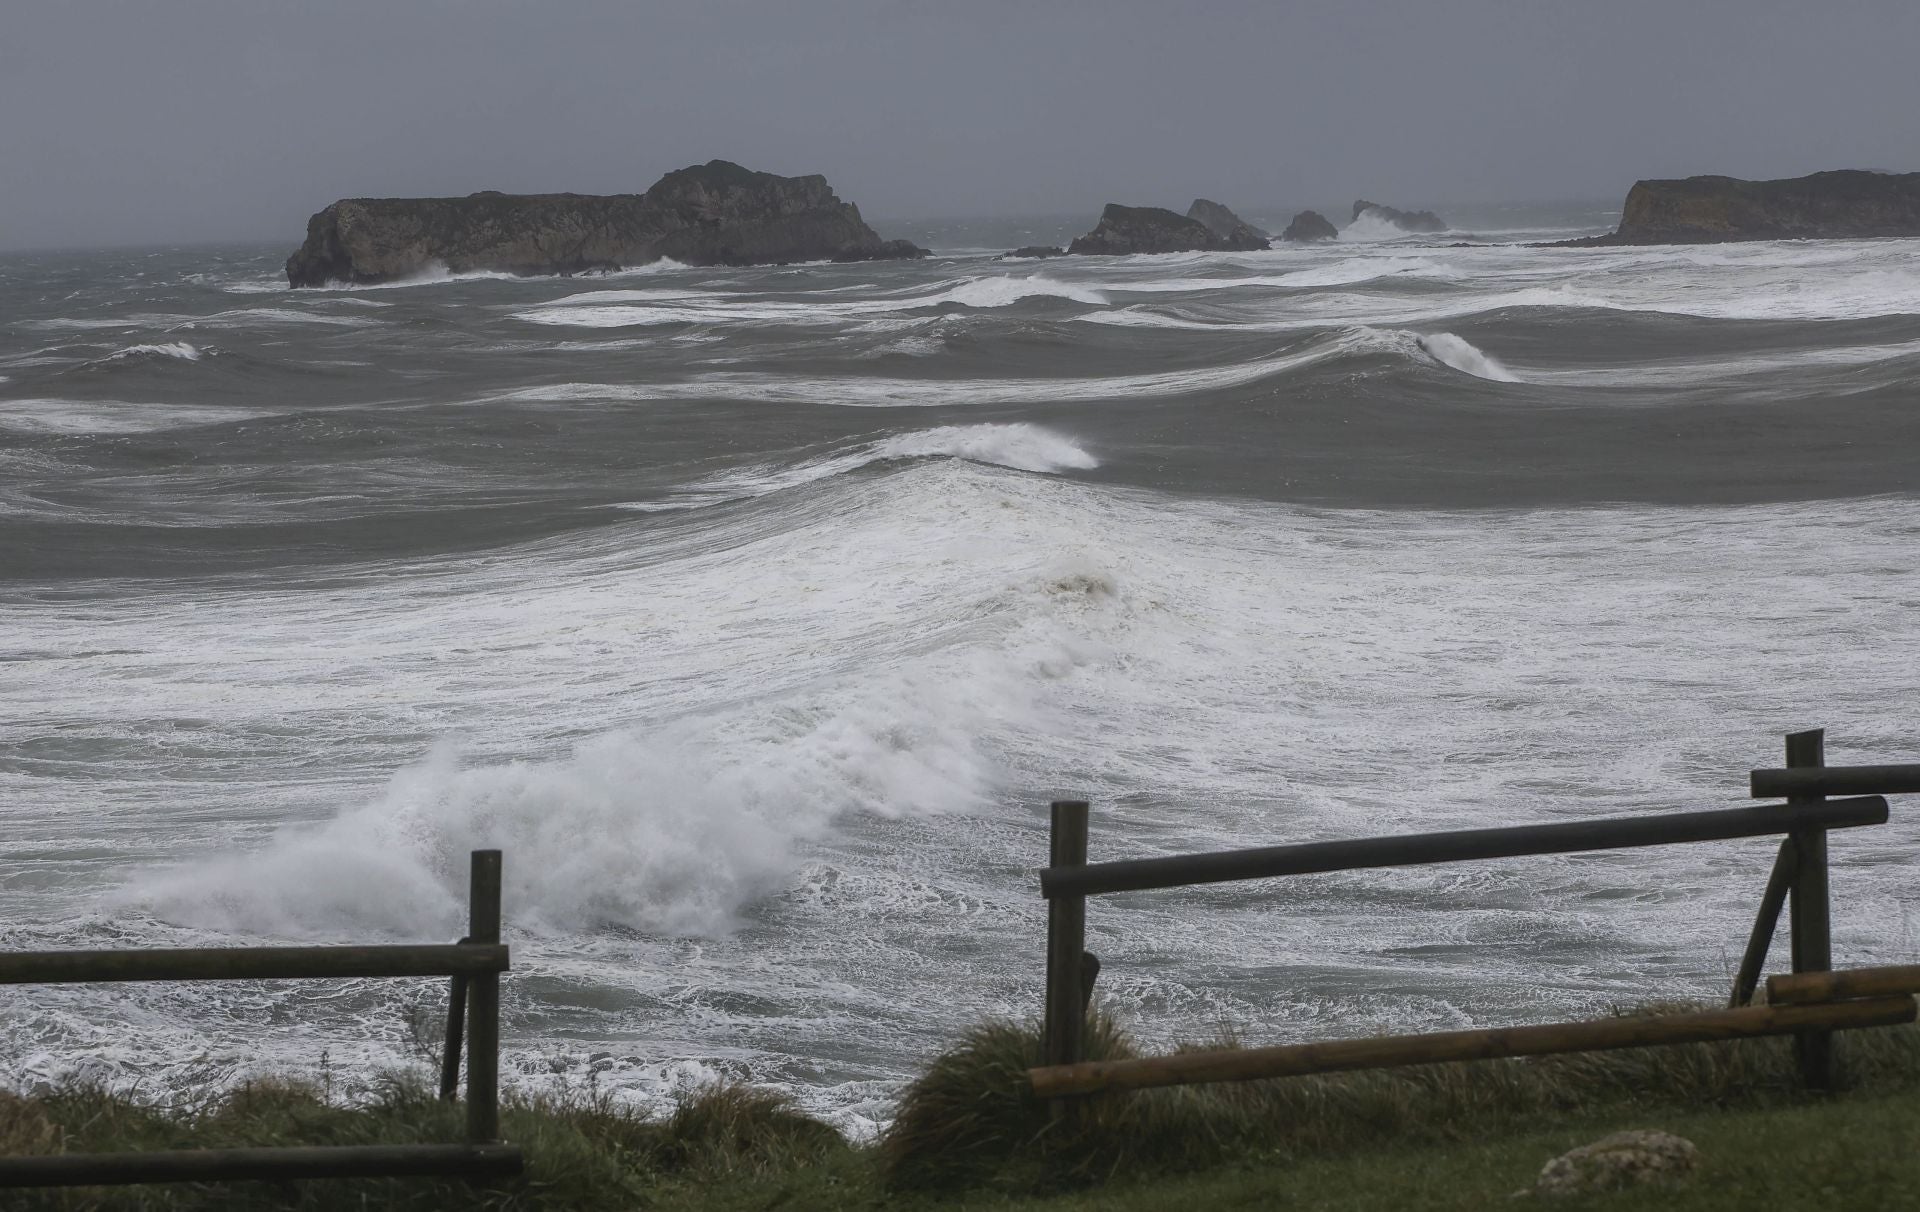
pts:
pixel 1827 206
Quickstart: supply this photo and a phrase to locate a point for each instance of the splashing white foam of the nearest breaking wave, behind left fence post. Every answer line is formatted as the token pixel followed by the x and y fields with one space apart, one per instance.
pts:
pixel 673 831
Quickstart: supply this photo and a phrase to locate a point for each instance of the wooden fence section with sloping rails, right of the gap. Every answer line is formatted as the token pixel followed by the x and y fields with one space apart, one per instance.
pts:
pixel 1810 1006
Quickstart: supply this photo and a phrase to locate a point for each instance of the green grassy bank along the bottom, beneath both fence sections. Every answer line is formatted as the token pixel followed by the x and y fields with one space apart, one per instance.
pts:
pixel 969 1136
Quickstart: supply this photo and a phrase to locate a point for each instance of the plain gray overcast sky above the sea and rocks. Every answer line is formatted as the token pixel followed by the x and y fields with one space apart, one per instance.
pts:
pixel 206 120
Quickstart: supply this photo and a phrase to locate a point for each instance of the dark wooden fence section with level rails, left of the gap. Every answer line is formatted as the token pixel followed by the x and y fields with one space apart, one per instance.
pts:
pixel 475 965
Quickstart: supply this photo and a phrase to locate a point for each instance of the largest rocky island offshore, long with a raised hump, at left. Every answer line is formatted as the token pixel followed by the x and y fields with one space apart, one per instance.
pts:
pixel 715 214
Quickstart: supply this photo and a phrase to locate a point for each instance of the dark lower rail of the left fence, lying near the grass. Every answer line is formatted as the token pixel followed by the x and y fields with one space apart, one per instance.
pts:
pixel 222 1165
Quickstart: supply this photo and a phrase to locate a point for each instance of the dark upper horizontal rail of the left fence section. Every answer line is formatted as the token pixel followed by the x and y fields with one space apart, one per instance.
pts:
pixel 251 963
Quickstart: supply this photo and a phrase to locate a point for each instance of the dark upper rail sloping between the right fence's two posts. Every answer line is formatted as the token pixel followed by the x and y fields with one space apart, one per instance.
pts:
pixel 1414 850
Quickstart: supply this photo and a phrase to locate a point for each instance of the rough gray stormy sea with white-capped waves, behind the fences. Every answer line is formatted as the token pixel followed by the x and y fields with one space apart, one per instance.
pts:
pixel 757 616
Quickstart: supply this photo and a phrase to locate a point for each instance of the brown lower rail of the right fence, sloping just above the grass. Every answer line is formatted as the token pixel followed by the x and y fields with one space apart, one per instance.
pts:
pixel 1303 1059
